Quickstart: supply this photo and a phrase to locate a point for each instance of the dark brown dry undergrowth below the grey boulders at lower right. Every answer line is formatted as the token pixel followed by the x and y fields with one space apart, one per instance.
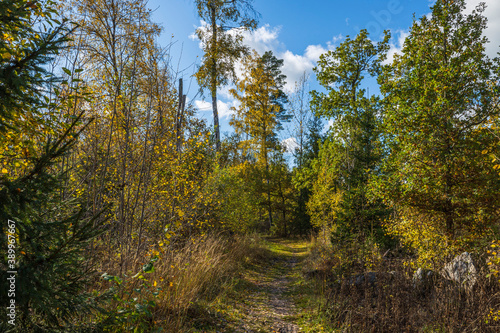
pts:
pixel 394 304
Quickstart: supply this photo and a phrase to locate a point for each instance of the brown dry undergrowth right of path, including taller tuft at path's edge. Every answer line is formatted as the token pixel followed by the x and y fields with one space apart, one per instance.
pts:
pixel 387 299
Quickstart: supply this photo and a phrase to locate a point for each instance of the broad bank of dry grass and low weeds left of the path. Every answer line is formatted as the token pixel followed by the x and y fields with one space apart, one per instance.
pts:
pixel 184 278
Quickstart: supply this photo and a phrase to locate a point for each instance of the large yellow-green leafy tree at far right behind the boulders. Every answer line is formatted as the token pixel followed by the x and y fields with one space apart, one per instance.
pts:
pixel 441 95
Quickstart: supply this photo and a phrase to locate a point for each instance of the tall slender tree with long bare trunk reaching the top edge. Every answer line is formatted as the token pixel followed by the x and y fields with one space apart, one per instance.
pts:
pixel 222 44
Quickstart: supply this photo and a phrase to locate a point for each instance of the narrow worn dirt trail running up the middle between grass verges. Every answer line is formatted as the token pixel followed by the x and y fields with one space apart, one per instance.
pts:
pixel 268 302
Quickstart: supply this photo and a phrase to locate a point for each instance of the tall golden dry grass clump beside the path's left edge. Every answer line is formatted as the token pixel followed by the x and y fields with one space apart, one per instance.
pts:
pixel 197 271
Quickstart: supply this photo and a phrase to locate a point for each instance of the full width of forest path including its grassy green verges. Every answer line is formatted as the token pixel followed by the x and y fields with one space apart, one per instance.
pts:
pixel 270 295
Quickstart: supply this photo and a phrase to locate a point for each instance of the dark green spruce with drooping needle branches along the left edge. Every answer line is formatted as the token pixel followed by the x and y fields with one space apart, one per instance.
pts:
pixel 48 232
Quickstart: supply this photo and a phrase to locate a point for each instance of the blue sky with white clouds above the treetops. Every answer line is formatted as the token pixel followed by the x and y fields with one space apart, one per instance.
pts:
pixel 298 32
